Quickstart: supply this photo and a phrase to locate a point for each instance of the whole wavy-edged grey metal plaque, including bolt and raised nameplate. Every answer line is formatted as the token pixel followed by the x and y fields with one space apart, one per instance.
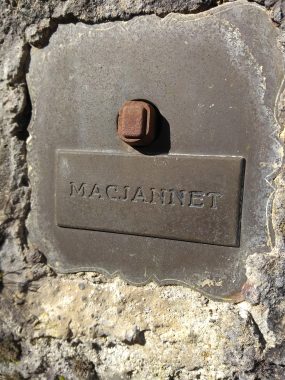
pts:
pixel 186 196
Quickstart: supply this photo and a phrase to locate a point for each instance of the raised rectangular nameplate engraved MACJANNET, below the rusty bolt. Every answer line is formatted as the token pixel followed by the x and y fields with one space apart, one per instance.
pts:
pixel 191 198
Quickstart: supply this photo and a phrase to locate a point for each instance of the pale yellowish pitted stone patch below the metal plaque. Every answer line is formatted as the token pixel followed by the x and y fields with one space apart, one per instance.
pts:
pixel 148 332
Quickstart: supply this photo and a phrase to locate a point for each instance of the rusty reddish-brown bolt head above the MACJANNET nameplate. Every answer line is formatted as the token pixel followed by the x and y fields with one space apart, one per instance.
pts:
pixel 136 123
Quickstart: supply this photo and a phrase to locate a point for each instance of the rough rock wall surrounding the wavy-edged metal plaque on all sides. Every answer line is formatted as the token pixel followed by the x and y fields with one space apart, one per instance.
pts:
pixel 86 326
